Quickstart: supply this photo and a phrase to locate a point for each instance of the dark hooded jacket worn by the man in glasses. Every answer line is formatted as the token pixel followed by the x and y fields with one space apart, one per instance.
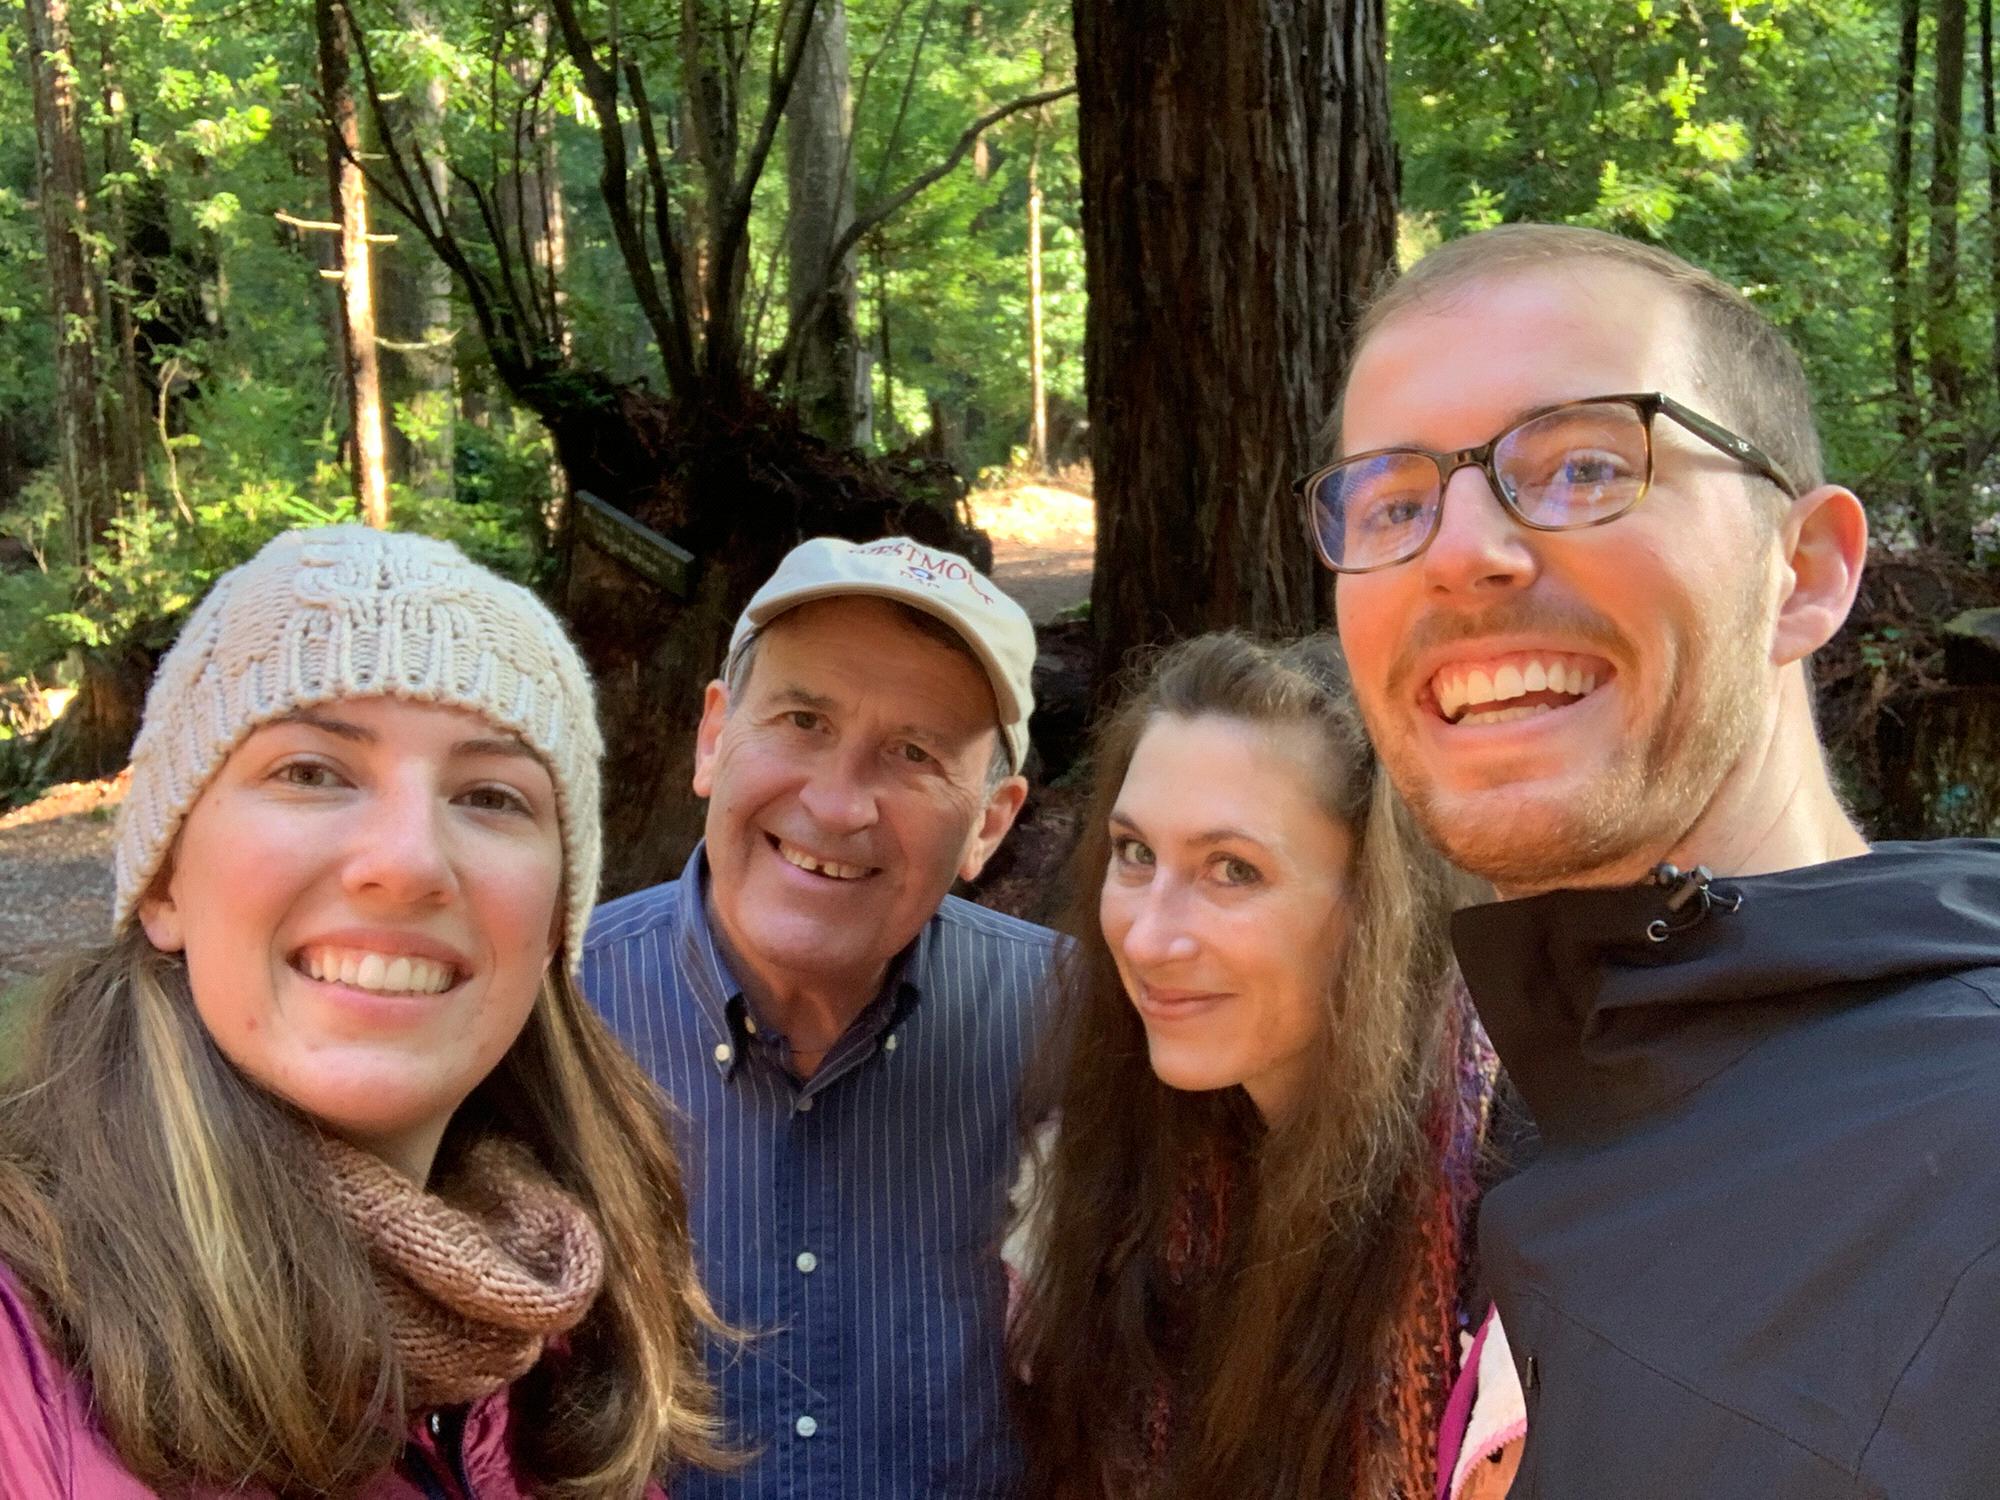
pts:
pixel 1759 1251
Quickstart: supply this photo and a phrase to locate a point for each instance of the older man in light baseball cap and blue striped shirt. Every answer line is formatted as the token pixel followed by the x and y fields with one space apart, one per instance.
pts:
pixel 843 1033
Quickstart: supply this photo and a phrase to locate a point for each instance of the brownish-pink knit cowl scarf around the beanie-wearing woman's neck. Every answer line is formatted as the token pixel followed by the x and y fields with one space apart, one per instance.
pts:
pixel 479 1273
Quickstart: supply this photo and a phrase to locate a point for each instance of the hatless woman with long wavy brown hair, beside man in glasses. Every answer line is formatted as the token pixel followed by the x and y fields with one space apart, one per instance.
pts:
pixel 1261 1113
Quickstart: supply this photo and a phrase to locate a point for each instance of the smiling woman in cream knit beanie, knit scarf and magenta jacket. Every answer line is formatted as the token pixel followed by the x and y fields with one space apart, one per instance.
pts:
pixel 323 1179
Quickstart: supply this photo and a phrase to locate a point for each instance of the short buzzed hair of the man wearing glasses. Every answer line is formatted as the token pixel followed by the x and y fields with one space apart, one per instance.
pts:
pixel 1749 369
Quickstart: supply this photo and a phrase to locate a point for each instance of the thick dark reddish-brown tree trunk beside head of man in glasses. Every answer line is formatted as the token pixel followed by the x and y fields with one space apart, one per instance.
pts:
pixel 1239 205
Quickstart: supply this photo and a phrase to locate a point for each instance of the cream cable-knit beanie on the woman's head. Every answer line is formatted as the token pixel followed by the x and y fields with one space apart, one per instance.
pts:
pixel 353 613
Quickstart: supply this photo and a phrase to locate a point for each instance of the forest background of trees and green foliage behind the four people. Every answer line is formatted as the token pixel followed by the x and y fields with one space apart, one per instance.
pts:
pixel 753 269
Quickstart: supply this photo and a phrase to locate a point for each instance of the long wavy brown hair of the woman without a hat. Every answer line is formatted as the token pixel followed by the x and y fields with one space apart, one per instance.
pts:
pixel 1279 1347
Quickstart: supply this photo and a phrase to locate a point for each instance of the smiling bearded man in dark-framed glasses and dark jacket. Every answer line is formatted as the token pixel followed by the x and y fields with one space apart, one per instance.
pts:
pixel 1585 553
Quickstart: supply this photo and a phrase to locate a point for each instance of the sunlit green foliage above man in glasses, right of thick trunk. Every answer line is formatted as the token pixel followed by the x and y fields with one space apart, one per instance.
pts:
pixel 1751 139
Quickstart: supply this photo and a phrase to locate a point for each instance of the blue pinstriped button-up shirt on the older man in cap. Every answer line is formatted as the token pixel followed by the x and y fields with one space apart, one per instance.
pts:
pixel 851 1221
